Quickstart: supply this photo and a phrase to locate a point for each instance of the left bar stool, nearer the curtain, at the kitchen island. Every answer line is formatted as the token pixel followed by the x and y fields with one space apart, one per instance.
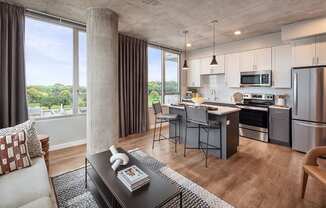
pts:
pixel 161 118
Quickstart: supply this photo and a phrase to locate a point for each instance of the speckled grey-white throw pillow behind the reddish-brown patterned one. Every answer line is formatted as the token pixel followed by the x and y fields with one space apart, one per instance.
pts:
pixel 34 145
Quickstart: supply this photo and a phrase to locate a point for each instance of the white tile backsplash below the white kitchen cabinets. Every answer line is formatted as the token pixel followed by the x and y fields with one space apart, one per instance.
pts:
pixel 224 93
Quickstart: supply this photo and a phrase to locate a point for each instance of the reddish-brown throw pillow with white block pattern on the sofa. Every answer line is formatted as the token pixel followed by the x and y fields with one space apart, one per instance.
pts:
pixel 13 152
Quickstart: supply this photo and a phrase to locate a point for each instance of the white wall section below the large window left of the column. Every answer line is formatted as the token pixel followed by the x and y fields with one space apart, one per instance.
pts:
pixel 64 131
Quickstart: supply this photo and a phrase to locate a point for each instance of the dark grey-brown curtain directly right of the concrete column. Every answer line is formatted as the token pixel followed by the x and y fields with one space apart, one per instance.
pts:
pixel 132 85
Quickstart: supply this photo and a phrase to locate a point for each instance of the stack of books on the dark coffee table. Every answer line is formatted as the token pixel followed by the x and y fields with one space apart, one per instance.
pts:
pixel 133 178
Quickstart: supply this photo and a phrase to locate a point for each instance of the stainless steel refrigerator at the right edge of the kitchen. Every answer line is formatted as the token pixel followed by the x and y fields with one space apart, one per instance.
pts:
pixel 309 108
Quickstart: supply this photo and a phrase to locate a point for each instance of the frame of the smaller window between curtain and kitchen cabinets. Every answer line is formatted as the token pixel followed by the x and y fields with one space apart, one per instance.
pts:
pixel 163 52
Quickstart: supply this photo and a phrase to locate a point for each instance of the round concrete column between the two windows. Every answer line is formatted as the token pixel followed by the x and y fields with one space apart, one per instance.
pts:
pixel 102 79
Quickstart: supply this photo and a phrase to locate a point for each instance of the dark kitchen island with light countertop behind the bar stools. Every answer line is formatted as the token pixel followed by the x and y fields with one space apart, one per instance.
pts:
pixel 227 116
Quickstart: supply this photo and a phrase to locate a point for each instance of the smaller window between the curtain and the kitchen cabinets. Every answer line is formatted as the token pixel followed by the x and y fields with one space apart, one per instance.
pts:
pixel 163 76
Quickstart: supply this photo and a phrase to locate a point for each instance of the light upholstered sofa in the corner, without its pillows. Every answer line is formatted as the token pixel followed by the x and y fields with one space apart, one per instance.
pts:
pixel 26 188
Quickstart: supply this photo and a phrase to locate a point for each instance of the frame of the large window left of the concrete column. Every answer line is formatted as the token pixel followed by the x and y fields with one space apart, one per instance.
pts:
pixel 76 29
